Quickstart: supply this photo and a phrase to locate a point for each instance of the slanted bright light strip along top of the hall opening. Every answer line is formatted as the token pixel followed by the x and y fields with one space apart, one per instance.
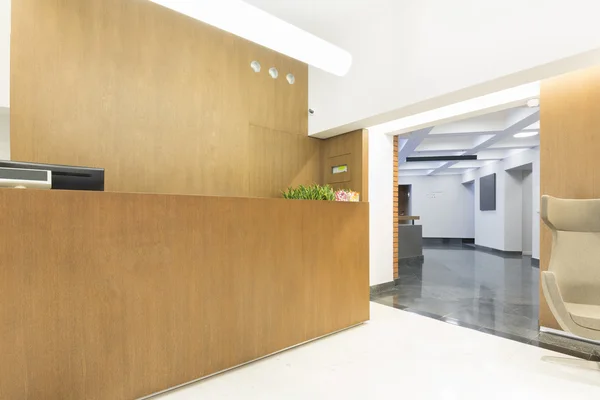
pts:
pixel 508 98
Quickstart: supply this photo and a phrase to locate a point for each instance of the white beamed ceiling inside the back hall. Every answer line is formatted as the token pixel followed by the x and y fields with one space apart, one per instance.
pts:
pixel 490 137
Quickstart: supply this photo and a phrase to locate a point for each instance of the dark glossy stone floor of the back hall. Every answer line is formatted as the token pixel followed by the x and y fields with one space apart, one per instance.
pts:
pixel 480 290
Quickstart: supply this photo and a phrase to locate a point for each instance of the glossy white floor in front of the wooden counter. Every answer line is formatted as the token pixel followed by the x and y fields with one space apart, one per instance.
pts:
pixel 402 355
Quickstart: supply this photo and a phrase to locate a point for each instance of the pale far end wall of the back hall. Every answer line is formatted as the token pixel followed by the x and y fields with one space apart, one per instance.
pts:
pixel 444 204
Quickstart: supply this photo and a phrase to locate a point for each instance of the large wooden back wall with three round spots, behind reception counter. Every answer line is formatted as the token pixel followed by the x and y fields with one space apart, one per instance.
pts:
pixel 163 102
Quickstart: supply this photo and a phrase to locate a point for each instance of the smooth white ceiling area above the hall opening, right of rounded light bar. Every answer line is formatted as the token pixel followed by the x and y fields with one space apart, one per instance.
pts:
pixel 412 56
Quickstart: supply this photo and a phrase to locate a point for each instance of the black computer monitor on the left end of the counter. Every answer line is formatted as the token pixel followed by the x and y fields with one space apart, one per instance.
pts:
pixel 65 177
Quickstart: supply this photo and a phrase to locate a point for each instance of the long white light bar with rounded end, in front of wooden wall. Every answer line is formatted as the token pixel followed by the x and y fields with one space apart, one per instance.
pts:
pixel 255 25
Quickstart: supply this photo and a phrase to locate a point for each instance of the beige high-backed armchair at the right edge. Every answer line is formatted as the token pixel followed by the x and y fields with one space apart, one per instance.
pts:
pixel 572 283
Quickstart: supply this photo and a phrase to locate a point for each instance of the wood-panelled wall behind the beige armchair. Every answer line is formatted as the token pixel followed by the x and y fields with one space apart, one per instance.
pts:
pixel 569 149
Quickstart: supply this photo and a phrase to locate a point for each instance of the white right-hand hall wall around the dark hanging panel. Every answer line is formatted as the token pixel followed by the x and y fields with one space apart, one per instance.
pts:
pixel 502 229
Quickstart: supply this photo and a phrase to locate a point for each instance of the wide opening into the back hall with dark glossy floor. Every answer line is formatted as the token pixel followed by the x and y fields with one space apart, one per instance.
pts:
pixel 472 271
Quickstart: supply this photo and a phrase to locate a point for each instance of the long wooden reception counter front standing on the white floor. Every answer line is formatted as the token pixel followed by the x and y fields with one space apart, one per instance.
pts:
pixel 118 296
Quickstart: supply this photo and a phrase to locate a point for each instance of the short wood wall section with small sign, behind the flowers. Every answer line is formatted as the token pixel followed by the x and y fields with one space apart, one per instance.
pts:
pixel 349 149
